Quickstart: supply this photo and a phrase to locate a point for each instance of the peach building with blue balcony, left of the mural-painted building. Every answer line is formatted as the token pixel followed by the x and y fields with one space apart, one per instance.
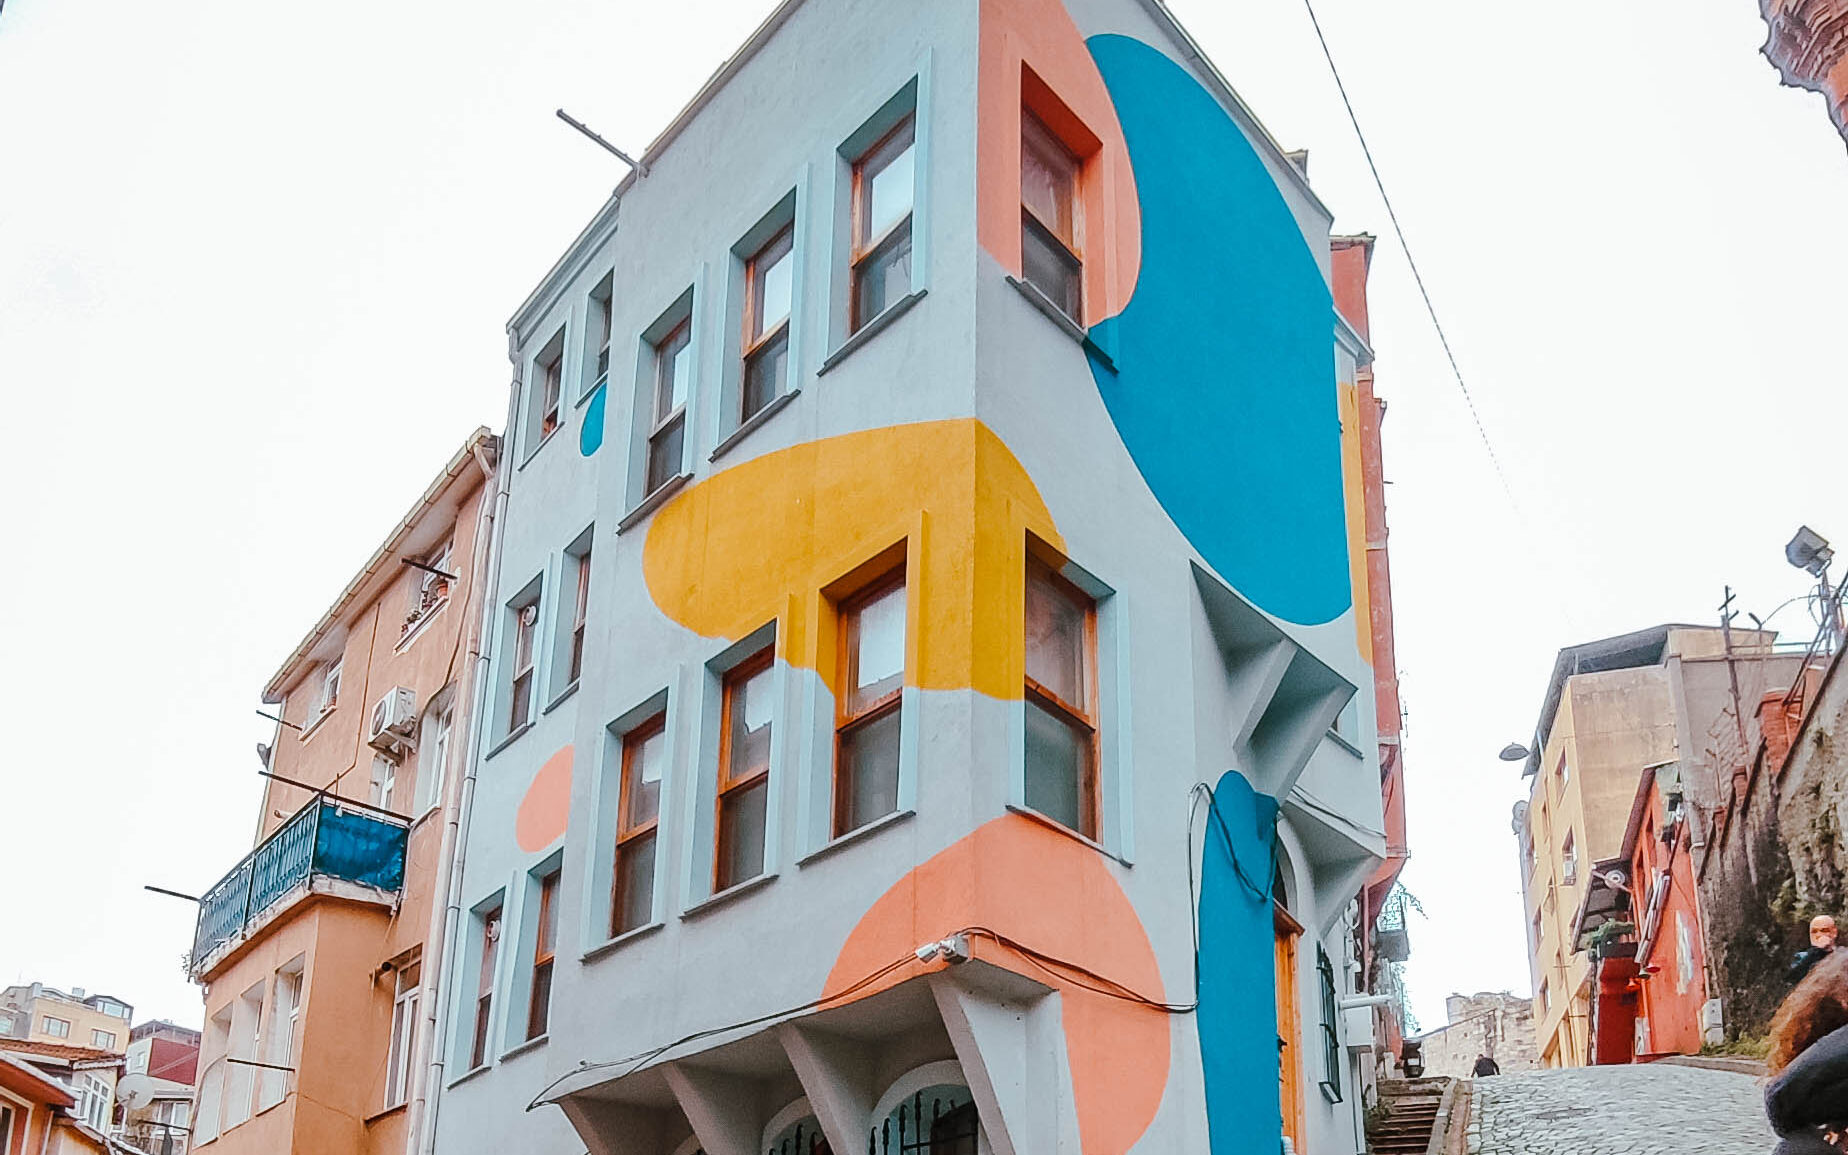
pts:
pixel 319 951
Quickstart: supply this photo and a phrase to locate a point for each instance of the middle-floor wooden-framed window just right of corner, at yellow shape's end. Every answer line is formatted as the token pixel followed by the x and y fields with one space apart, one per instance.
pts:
pixel 1062 716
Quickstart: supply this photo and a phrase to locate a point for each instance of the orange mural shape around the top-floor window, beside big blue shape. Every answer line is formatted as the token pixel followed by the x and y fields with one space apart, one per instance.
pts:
pixel 1036 58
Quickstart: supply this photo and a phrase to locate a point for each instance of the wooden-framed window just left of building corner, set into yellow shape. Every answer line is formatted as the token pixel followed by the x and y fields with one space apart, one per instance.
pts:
pixel 873 664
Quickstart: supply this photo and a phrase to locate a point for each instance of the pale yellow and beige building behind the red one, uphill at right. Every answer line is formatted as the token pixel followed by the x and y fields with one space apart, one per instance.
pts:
pixel 1612 709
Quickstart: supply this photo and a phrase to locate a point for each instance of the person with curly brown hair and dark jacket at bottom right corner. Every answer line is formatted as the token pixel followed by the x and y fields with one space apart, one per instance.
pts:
pixel 1808 1095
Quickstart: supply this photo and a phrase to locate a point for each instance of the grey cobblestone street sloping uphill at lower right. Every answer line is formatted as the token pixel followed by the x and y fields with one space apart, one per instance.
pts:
pixel 1655 1110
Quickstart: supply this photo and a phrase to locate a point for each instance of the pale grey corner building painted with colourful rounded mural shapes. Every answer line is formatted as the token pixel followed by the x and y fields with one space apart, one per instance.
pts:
pixel 927 683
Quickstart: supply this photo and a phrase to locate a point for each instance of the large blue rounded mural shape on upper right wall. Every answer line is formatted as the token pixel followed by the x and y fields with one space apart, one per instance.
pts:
pixel 1224 359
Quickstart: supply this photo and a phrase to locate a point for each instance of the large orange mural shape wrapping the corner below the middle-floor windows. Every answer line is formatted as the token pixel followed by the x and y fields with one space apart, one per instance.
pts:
pixel 1058 897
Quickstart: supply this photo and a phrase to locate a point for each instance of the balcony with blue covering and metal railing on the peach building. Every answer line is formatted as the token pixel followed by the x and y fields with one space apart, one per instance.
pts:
pixel 326 847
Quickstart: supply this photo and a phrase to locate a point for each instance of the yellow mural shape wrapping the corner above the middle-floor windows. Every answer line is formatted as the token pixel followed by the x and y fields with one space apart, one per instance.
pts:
pixel 786 535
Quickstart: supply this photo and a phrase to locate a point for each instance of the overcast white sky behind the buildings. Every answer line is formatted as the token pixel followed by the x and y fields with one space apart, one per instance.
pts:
pixel 256 263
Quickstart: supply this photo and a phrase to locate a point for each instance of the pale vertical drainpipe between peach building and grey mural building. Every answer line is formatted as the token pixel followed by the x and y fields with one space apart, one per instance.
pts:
pixel 446 912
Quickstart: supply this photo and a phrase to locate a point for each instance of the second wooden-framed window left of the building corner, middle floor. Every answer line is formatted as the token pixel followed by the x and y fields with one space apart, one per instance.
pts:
pixel 744 772
